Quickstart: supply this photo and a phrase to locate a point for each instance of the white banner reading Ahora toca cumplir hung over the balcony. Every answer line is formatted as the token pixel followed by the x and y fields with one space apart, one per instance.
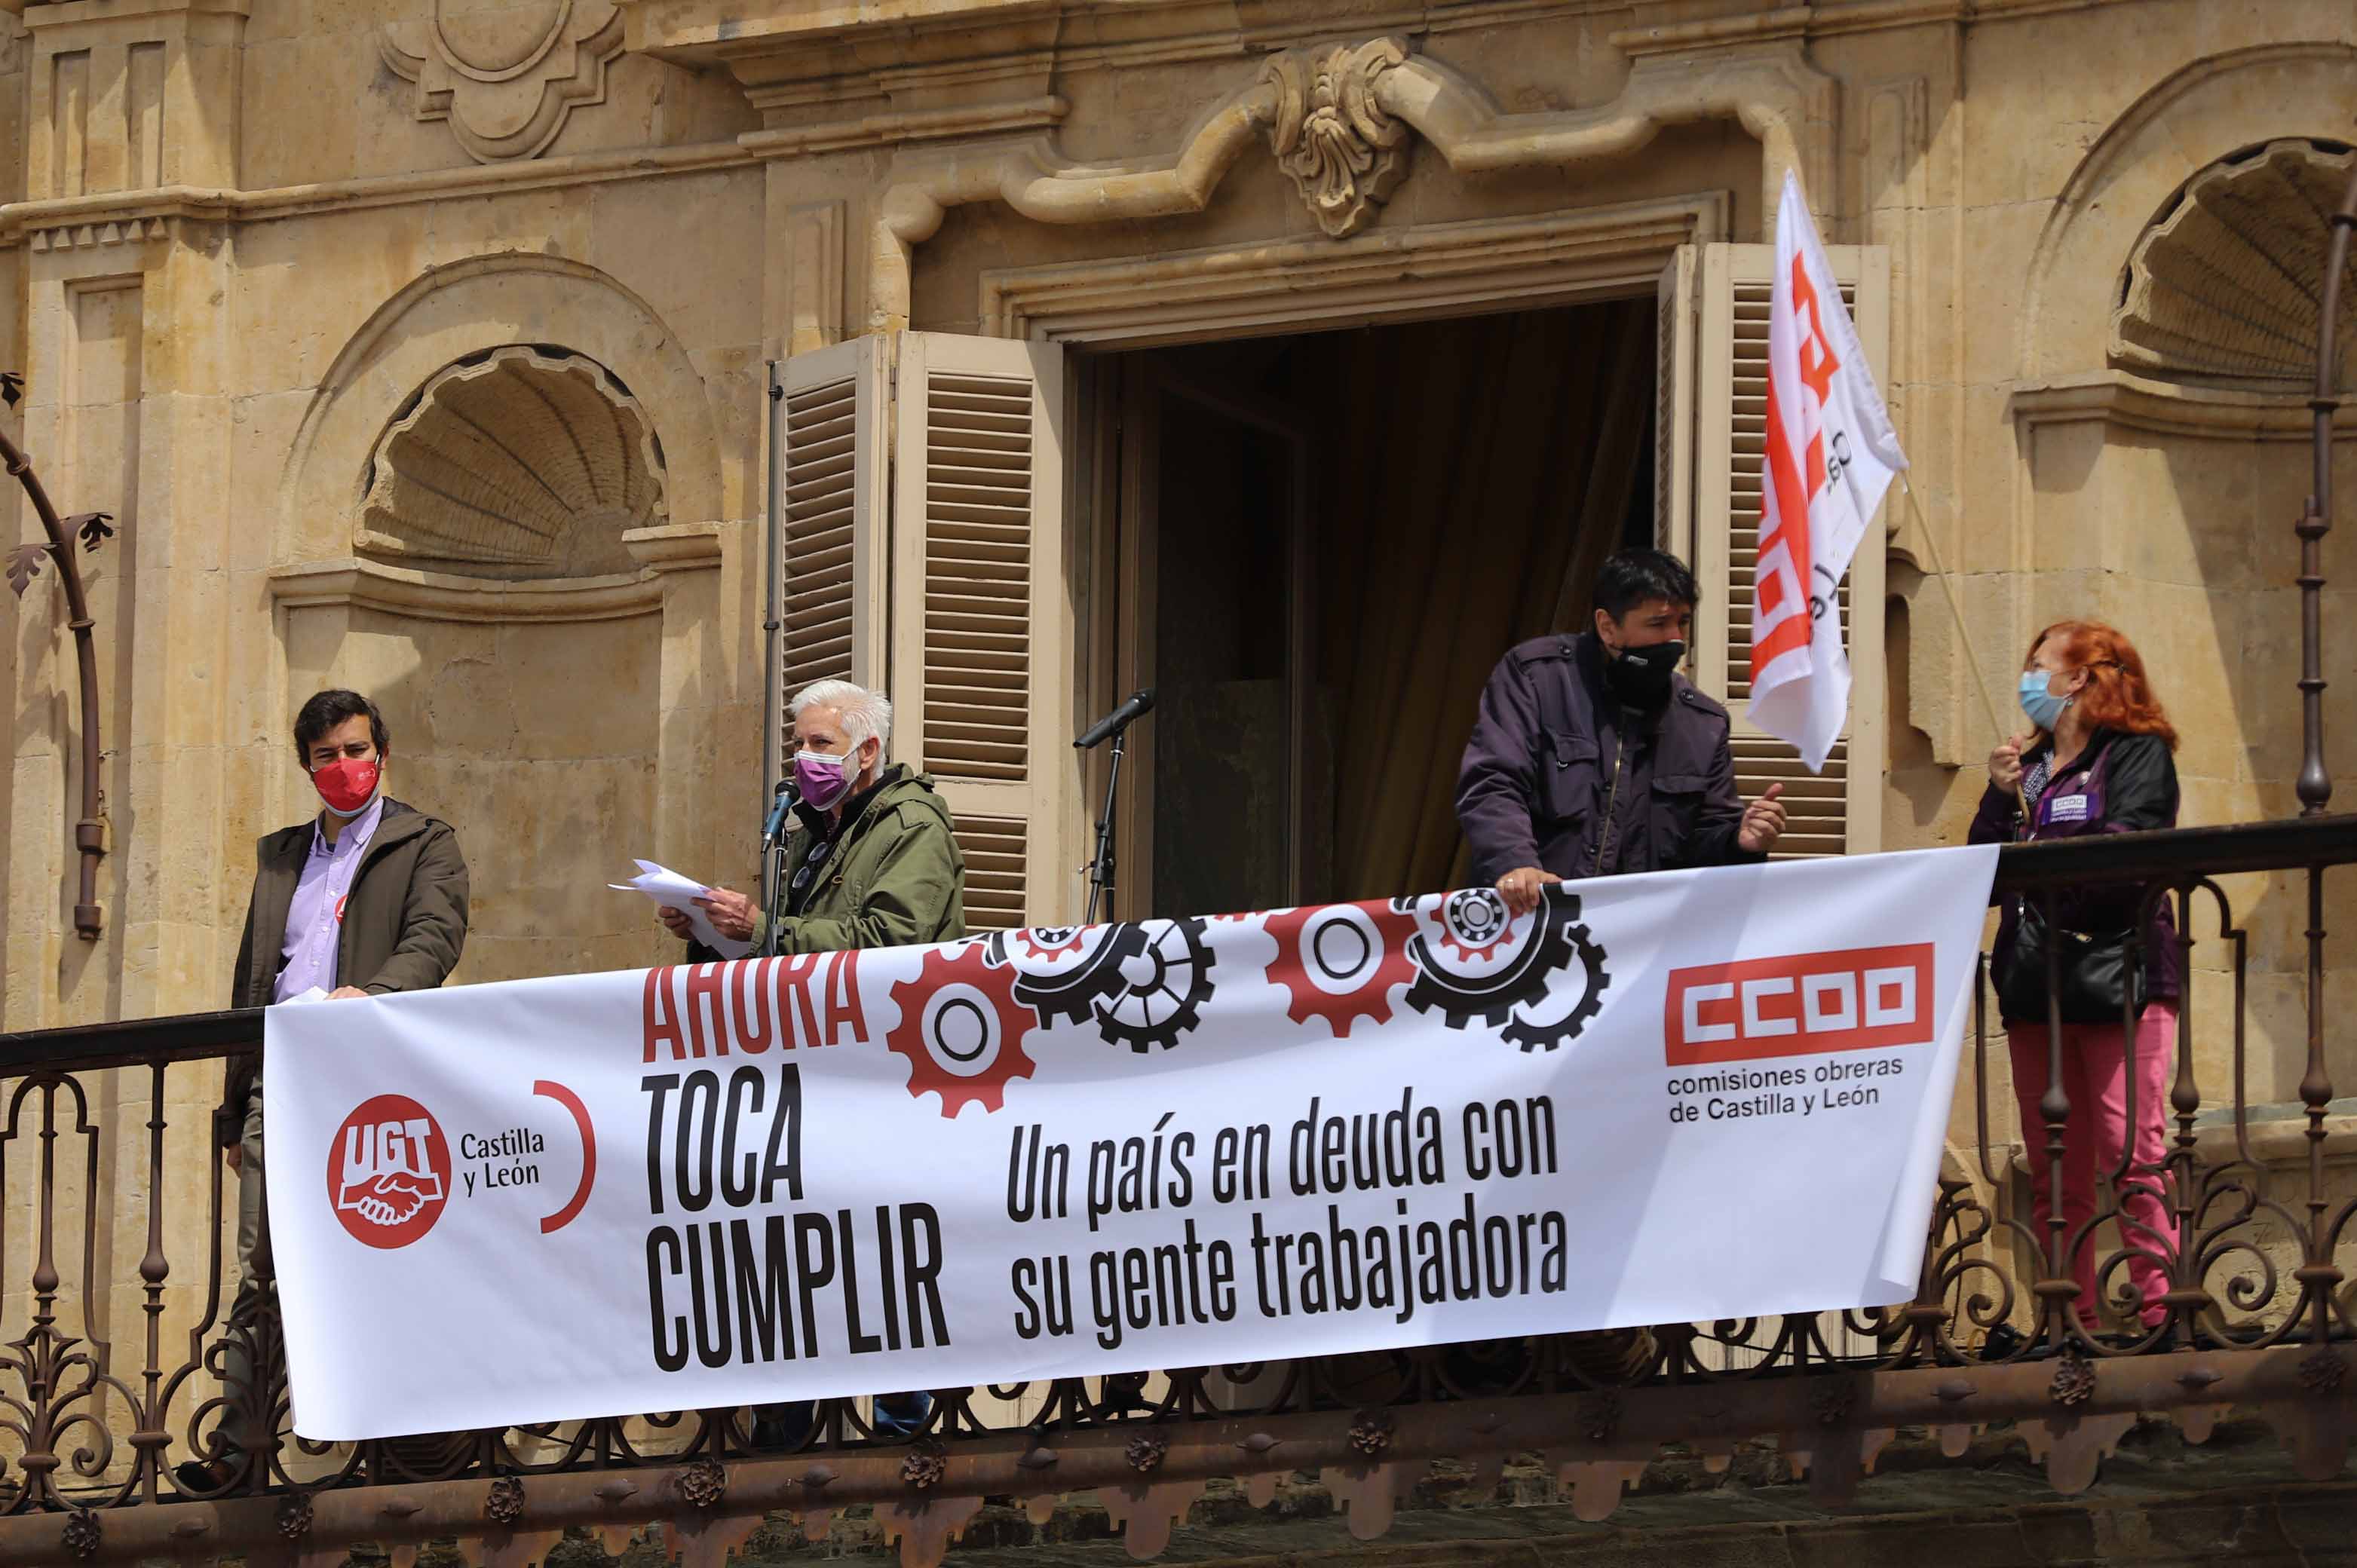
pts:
pixel 1055 1154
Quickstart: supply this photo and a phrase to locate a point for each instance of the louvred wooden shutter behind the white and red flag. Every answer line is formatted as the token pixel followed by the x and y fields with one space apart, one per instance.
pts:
pixel 1835 812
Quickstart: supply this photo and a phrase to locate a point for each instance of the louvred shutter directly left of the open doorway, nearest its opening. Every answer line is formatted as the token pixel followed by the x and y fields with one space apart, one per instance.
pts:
pixel 979 645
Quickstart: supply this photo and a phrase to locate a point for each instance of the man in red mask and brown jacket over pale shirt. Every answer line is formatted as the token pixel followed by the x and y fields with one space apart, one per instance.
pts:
pixel 364 900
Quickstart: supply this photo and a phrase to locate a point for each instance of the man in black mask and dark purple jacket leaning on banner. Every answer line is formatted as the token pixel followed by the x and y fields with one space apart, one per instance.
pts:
pixel 1595 756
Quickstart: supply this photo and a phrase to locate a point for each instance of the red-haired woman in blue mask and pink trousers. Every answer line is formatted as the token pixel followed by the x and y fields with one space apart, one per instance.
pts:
pixel 2099 763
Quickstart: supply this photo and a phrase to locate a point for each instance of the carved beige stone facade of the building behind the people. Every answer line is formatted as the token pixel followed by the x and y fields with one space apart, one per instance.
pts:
pixel 421 348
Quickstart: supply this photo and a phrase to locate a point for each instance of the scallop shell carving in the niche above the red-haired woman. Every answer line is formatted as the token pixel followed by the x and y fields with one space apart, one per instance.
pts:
pixel 2229 282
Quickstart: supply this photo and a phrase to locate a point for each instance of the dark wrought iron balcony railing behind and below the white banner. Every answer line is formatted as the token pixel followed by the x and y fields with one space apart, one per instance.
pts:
pixel 145 1404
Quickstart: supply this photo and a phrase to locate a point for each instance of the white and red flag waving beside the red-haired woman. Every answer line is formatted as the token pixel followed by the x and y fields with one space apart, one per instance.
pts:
pixel 1830 459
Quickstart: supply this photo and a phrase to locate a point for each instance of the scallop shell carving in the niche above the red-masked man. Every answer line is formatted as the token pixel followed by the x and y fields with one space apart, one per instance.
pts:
pixel 515 463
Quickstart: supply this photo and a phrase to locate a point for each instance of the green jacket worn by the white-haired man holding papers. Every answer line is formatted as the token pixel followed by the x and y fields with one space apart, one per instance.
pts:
pixel 894 881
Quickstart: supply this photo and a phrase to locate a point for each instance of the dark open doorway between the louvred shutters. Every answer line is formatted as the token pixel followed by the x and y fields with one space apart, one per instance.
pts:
pixel 1326 543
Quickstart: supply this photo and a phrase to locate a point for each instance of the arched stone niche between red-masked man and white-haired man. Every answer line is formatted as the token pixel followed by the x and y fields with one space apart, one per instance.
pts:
pixel 499 522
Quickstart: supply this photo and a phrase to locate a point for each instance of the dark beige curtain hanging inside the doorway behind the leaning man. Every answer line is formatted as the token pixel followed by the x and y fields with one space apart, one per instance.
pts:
pixel 1493 470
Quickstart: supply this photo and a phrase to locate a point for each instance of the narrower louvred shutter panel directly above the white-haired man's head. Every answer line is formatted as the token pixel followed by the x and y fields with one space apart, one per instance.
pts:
pixel 831 430
